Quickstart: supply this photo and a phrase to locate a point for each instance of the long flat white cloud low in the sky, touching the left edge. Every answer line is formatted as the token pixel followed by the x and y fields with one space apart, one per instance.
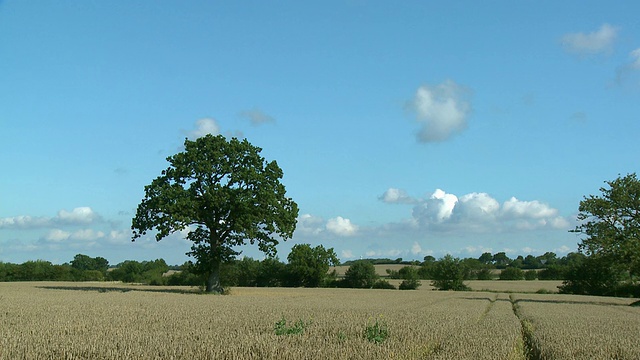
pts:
pixel 78 216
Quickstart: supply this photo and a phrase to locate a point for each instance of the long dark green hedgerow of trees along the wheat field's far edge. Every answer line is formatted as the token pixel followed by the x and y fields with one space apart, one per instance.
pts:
pixel 308 266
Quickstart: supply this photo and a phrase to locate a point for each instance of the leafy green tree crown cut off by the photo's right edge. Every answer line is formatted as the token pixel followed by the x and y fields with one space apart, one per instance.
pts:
pixel 611 223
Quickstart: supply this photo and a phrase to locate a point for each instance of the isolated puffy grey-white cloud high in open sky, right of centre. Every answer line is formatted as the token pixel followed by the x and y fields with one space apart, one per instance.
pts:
pixel 441 110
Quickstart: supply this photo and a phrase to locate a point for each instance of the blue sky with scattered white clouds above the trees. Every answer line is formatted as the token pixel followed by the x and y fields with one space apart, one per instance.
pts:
pixel 404 128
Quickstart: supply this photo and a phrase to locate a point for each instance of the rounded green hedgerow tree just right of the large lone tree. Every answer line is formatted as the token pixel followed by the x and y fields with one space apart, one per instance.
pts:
pixel 309 267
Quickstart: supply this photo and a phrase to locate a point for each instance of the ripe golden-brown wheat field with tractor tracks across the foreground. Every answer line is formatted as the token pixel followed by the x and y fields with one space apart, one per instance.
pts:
pixel 116 321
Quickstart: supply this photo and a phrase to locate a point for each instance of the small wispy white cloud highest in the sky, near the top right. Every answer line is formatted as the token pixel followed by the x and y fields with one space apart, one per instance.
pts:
pixel 595 42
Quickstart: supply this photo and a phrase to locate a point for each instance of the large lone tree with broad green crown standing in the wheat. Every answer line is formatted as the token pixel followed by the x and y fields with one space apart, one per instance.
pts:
pixel 225 194
